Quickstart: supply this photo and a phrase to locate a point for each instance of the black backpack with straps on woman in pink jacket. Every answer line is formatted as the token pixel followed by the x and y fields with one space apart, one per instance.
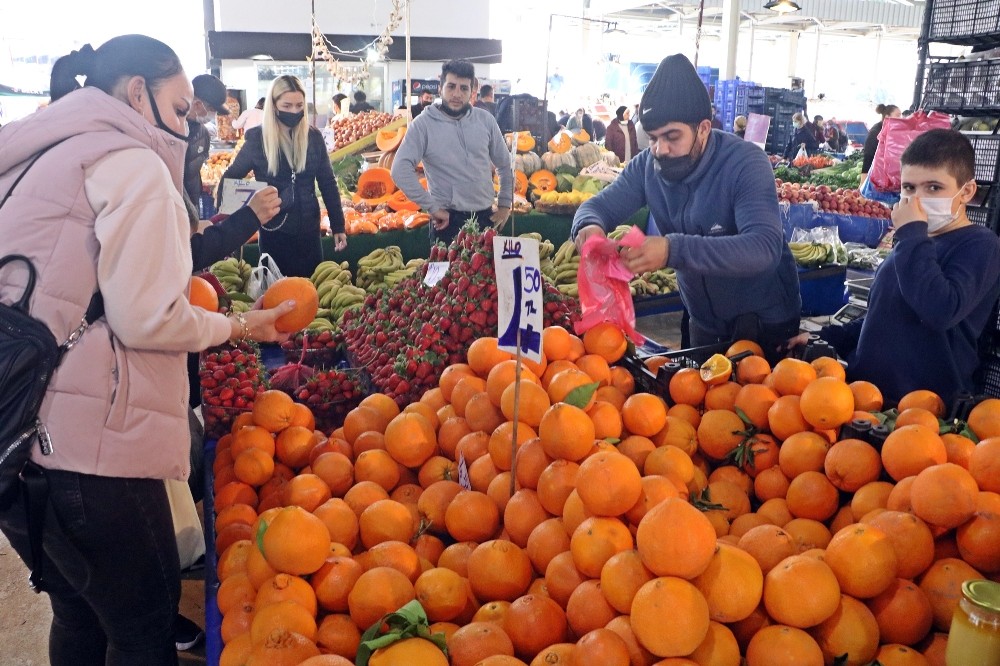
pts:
pixel 29 355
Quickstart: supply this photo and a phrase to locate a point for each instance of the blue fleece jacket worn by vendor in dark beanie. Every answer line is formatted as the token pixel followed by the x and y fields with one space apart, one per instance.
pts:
pixel 726 239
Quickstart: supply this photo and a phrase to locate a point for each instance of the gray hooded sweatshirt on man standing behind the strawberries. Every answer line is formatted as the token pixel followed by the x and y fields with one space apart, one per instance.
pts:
pixel 458 155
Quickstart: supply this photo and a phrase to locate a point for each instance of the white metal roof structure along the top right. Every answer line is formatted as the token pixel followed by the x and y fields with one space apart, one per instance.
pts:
pixel 898 19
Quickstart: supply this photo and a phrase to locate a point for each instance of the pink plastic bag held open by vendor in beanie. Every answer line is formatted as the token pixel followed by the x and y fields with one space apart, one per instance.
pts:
pixel 603 282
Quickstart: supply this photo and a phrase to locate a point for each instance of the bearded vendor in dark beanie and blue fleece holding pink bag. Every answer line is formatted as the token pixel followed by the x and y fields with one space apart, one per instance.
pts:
pixel 714 214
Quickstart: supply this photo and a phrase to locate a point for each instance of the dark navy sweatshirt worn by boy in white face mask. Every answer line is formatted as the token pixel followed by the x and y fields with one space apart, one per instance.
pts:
pixel 928 305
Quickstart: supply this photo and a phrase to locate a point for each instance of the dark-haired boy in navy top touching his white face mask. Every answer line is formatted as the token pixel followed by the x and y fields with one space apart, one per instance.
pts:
pixel 932 297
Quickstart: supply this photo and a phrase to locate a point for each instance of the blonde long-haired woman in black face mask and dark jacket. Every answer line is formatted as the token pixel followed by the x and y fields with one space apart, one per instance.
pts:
pixel 290 155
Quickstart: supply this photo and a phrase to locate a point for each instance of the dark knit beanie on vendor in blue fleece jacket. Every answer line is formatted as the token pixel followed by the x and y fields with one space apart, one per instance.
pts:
pixel 674 94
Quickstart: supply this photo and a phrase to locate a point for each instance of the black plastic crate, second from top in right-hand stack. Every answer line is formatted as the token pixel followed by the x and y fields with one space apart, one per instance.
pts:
pixel 968 87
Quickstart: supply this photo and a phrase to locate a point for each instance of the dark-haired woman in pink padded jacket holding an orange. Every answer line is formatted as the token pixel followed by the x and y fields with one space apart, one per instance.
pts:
pixel 111 192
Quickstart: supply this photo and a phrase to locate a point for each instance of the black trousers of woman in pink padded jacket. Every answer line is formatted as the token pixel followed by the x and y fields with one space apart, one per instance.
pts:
pixel 111 569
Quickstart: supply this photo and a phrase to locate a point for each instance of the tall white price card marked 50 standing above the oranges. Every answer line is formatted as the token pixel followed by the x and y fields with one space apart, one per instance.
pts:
pixel 519 295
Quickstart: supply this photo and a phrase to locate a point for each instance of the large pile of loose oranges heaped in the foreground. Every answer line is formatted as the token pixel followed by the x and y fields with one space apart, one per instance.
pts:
pixel 728 524
